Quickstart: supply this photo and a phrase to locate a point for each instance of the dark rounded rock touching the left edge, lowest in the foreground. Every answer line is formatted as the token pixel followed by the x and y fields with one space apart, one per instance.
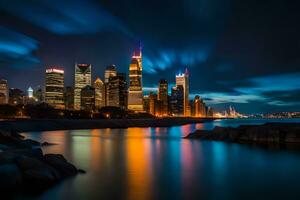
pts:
pixel 11 176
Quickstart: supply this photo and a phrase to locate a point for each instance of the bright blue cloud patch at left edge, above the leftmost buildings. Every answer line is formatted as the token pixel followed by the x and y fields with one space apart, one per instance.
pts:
pixel 16 50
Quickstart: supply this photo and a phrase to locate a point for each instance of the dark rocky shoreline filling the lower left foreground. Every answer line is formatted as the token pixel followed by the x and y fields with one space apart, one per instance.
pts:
pixel 24 167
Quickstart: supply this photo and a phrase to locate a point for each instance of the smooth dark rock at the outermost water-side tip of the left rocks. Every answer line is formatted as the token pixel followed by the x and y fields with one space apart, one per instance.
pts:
pixel 58 162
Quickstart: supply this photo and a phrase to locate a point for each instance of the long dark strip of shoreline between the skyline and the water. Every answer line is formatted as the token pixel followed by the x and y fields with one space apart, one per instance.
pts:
pixel 27 125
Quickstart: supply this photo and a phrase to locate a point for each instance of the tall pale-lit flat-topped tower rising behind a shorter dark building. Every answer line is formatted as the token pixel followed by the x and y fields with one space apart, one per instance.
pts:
pixel 83 77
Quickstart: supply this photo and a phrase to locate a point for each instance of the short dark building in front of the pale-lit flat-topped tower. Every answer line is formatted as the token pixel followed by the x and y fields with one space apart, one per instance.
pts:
pixel 87 98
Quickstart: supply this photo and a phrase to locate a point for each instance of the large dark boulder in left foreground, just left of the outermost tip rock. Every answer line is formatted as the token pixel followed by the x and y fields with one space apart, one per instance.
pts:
pixel 36 173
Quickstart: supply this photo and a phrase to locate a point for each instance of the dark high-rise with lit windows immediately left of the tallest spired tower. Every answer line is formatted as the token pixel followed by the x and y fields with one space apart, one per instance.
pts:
pixel 117 91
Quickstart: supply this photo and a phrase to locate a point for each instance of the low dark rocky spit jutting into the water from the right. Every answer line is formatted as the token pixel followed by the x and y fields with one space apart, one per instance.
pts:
pixel 269 133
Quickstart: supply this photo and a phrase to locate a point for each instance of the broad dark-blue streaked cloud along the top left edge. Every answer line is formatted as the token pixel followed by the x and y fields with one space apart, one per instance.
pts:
pixel 65 17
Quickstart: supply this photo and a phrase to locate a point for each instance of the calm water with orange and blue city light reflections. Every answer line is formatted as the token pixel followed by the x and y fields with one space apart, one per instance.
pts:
pixel 156 163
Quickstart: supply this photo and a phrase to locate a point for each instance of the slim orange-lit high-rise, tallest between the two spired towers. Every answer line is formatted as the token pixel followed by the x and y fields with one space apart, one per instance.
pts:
pixel 163 96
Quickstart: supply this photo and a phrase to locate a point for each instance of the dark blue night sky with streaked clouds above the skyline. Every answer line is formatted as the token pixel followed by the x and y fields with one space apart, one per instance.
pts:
pixel 244 53
